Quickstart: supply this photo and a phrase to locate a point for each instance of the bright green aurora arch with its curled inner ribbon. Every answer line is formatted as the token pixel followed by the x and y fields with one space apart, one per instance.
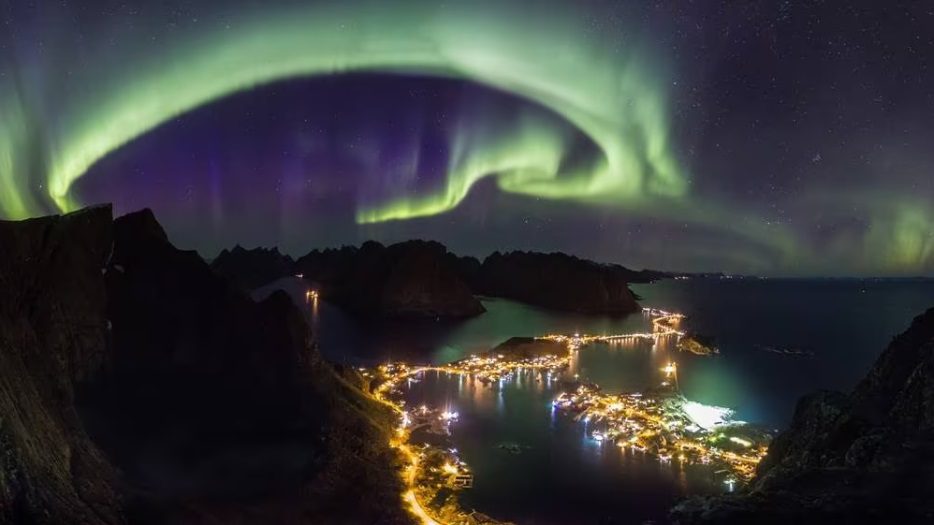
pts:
pixel 552 62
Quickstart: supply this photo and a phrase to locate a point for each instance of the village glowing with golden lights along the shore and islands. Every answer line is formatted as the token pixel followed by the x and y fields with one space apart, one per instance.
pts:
pixel 659 422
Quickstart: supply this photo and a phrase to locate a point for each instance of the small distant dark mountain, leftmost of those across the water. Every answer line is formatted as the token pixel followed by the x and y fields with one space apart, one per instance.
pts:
pixel 250 269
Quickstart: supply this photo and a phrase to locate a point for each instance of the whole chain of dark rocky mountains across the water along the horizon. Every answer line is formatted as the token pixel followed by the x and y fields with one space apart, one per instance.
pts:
pixel 422 279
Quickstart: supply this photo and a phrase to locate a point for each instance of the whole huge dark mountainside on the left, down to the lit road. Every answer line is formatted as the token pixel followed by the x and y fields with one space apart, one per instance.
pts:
pixel 120 353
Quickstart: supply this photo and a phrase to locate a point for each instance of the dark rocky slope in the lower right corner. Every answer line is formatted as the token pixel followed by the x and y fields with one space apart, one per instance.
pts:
pixel 866 457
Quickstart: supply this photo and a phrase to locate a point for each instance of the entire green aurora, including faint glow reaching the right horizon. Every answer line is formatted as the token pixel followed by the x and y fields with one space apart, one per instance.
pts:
pixel 605 88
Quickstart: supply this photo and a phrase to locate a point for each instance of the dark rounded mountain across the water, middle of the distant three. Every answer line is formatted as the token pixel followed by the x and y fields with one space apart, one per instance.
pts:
pixel 413 279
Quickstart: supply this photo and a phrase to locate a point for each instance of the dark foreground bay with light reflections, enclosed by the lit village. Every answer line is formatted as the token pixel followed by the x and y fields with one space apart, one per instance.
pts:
pixel 560 474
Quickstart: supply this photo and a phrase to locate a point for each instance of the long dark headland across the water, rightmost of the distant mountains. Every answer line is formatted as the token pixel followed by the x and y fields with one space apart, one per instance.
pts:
pixel 557 281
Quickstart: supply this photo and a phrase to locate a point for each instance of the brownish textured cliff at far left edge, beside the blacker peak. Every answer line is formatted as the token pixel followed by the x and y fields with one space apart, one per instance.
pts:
pixel 52 339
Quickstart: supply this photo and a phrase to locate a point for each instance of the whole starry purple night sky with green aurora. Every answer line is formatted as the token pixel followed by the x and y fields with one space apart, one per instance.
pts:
pixel 775 138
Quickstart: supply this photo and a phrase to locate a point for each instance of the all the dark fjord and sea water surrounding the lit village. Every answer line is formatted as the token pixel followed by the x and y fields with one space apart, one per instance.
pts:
pixel 778 340
